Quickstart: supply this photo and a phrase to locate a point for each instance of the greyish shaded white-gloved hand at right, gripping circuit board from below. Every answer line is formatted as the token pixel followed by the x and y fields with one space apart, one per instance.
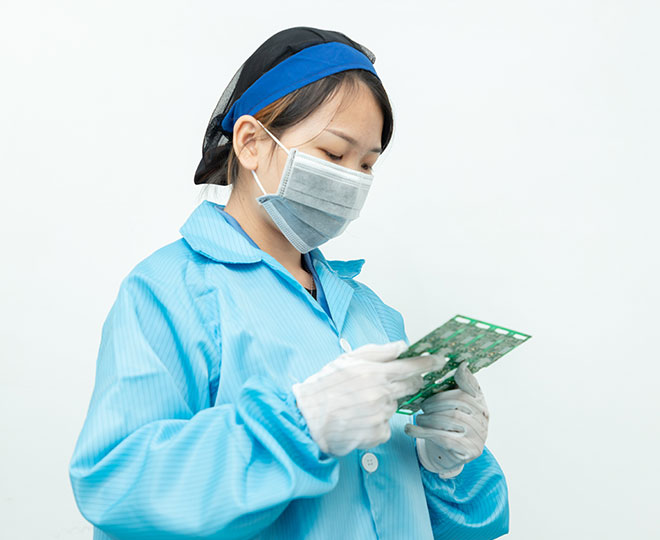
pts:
pixel 453 427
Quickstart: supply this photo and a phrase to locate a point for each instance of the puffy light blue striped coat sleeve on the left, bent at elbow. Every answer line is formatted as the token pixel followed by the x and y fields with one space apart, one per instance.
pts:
pixel 154 460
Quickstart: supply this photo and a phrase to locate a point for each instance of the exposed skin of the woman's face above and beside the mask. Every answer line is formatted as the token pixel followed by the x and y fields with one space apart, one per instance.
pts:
pixel 345 130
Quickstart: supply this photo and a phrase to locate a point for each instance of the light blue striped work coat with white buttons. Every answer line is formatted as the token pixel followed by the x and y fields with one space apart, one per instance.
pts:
pixel 193 431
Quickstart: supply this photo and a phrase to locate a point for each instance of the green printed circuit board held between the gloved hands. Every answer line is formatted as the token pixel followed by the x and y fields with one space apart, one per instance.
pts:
pixel 459 339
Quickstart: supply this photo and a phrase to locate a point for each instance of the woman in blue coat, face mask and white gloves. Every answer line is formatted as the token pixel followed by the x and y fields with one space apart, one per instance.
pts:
pixel 245 385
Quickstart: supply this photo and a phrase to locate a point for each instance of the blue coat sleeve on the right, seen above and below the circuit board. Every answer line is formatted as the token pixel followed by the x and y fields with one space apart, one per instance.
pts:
pixel 474 505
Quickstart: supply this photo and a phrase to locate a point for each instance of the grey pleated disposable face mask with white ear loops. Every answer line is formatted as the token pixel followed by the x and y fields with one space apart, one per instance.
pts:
pixel 316 199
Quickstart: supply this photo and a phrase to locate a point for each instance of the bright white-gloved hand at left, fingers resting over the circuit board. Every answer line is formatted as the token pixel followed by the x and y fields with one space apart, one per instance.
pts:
pixel 348 403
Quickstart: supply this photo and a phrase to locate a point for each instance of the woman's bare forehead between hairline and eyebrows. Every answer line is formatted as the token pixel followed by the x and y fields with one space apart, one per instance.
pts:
pixel 352 110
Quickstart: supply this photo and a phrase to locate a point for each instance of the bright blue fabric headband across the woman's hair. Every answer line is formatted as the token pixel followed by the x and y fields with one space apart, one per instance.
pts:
pixel 298 70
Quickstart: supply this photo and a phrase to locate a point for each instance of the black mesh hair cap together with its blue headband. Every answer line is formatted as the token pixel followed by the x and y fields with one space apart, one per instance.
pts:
pixel 286 61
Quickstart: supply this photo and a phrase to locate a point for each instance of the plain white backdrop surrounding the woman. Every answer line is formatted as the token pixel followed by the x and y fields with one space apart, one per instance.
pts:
pixel 521 188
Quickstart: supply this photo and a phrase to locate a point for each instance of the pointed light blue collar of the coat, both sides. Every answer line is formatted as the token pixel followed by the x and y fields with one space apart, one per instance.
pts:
pixel 208 232
